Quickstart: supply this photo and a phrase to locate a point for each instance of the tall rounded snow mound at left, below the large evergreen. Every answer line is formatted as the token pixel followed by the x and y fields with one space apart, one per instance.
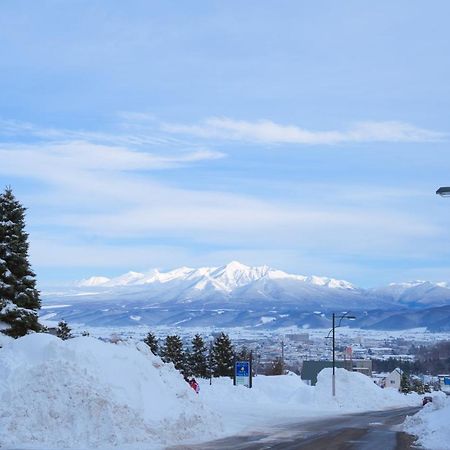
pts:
pixel 86 393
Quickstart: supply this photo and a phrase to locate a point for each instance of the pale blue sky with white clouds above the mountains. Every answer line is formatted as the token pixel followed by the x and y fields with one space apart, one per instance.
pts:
pixel 309 136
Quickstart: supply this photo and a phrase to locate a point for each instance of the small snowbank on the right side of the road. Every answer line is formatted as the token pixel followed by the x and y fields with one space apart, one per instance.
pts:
pixel 431 424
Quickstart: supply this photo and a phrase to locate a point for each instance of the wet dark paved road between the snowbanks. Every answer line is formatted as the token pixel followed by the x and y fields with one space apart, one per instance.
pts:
pixel 367 431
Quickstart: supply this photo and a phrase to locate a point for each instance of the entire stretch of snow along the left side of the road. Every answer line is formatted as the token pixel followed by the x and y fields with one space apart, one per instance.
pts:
pixel 85 393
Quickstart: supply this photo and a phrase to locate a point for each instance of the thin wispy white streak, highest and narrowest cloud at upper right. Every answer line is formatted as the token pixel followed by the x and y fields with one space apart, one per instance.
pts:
pixel 267 131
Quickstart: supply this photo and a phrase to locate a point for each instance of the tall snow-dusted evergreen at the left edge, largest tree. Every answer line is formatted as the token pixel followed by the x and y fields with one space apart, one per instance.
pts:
pixel 19 298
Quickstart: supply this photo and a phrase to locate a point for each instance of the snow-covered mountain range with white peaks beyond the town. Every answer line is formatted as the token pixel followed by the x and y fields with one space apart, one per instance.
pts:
pixel 236 295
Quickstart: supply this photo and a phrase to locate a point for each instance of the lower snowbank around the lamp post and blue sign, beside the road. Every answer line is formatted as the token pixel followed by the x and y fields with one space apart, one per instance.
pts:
pixel 287 397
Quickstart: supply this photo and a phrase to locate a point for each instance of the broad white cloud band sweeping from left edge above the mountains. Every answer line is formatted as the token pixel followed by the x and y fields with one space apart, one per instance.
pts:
pixel 99 193
